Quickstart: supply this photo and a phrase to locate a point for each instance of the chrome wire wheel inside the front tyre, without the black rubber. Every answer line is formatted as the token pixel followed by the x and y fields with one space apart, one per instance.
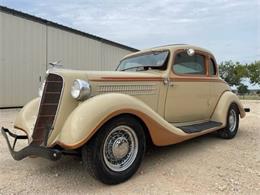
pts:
pixel 120 148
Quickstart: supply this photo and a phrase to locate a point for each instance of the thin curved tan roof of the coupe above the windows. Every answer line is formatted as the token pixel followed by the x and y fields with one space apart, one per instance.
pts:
pixel 171 47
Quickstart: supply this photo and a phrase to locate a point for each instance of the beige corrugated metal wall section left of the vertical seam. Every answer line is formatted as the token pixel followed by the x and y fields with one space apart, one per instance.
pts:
pixel 22 59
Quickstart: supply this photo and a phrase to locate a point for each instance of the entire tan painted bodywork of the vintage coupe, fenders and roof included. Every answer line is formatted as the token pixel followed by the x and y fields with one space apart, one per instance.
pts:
pixel 161 100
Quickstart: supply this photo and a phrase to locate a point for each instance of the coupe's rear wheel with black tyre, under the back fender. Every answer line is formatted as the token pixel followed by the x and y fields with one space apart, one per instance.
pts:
pixel 231 128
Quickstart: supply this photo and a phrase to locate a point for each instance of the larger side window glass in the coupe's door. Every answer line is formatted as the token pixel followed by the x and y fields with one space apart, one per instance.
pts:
pixel 185 64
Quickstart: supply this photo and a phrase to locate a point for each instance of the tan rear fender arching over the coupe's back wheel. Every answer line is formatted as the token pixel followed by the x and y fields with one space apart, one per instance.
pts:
pixel 220 113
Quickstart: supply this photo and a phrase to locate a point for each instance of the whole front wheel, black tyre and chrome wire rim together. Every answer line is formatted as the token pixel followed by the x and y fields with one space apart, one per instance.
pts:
pixel 114 154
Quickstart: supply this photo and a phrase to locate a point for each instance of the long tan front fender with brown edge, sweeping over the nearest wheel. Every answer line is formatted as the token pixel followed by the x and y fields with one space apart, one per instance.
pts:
pixel 90 115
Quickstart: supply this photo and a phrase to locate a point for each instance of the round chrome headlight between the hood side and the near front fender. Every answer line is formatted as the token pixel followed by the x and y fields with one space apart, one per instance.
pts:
pixel 80 90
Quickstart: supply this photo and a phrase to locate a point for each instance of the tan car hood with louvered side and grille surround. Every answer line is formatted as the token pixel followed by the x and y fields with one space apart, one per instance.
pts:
pixel 103 82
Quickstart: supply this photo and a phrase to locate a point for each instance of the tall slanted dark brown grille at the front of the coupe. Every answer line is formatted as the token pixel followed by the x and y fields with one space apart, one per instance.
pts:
pixel 48 108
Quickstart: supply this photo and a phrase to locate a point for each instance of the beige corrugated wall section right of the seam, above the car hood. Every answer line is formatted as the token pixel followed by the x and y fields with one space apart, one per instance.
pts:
pixel 79 52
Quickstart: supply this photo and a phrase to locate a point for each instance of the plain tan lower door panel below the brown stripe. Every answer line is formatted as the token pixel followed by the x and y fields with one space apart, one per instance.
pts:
pixel 196 98
